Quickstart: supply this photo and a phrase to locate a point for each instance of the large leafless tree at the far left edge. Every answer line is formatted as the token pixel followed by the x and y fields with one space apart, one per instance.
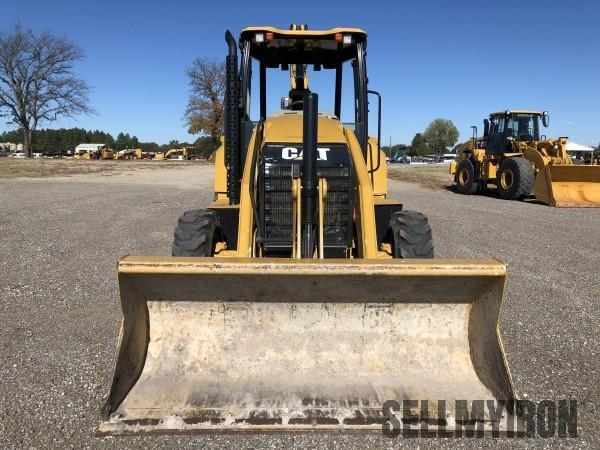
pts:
pixel 37 83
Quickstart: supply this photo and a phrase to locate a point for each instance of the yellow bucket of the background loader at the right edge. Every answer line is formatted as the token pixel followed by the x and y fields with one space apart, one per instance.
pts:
pixel 567 186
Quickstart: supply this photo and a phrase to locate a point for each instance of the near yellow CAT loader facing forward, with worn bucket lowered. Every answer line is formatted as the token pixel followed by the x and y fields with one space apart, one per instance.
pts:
pixel 303 297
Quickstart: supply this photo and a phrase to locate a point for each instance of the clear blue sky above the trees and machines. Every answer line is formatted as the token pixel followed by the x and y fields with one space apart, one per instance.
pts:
pixel 458 60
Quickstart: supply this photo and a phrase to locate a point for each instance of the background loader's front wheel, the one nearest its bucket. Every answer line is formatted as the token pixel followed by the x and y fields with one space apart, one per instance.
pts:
pixel 515 178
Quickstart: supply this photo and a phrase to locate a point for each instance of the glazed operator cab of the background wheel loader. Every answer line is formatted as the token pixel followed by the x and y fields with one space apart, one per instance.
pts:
pixel 503 128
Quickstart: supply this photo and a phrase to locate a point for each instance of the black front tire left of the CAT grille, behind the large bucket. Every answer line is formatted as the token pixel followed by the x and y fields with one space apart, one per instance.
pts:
pixel 197 233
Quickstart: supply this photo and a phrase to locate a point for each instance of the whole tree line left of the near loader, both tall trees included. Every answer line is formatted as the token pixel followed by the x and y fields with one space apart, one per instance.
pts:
pixel 38 86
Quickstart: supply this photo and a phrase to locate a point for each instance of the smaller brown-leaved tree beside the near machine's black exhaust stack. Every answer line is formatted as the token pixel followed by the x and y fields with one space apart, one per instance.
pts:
pixel 204 112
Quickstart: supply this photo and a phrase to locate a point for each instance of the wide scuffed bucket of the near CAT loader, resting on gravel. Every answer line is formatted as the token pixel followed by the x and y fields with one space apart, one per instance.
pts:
pixel 215 344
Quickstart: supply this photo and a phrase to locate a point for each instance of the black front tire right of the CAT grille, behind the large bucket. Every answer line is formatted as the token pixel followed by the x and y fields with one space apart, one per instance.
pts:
pixel 409 234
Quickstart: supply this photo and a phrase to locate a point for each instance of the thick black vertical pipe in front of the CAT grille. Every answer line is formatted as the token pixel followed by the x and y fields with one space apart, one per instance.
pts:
pixel 309 172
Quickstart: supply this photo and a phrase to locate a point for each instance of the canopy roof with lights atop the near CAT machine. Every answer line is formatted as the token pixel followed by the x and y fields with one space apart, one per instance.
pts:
pixel 328 48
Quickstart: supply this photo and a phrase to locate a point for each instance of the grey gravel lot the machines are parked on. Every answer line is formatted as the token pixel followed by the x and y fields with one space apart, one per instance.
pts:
pixel 59 312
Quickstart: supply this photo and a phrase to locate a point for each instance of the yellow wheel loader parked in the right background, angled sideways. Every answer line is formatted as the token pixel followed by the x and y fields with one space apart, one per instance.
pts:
pixel 514 156
